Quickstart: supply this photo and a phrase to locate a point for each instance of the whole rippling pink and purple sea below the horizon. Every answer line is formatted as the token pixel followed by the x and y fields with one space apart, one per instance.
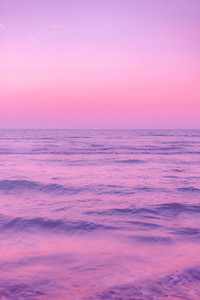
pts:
pixel 91 215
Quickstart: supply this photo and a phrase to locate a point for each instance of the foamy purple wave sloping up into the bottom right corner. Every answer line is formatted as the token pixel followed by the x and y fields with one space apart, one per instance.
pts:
pixel 183 284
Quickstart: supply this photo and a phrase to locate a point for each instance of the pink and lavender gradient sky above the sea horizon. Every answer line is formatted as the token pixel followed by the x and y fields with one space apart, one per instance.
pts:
pixel 99 64
